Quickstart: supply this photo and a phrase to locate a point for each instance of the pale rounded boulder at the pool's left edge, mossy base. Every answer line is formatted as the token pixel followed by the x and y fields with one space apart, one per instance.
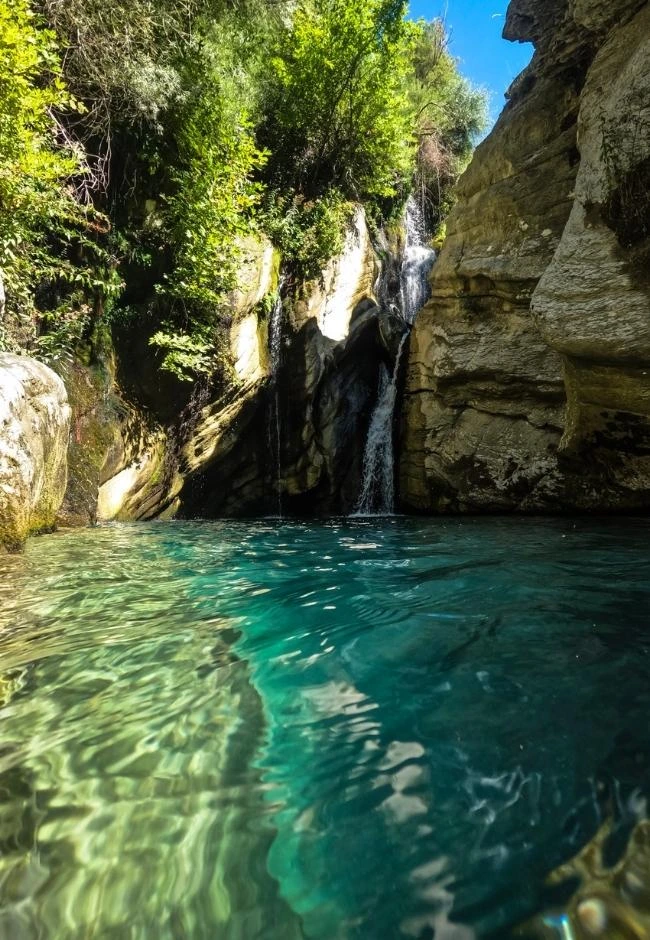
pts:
pixel 34 430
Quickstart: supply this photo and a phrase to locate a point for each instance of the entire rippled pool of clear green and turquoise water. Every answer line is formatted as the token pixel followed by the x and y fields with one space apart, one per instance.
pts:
pixel 371 729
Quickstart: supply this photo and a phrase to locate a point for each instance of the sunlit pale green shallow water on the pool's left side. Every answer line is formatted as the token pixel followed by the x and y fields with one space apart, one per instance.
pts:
pixel 130 805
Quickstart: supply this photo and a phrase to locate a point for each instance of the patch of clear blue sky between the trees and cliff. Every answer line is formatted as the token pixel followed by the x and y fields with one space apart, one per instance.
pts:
pixel 475 27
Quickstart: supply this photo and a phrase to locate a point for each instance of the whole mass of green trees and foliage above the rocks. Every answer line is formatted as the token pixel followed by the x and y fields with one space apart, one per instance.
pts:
pixel 193 125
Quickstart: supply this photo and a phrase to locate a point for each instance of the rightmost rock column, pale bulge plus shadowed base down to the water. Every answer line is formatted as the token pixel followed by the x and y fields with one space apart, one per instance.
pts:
pixel 593 302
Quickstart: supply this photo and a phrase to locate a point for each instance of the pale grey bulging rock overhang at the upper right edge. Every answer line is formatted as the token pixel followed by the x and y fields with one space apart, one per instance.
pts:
pixel 590 302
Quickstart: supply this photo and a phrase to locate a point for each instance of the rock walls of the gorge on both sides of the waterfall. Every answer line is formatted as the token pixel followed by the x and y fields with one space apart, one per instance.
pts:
pixel 526 379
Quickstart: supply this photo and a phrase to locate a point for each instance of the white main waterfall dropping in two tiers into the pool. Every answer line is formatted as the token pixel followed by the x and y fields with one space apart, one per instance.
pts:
pixel 378 484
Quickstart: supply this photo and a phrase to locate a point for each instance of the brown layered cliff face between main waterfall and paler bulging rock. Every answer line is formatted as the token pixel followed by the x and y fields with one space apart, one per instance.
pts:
pixel 484 402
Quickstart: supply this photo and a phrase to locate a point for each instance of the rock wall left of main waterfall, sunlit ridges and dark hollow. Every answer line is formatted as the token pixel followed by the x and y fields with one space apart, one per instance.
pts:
pixel 286 431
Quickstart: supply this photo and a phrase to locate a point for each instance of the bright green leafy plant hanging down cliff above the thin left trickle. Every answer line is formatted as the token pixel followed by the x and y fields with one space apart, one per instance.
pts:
pixel 208 212
